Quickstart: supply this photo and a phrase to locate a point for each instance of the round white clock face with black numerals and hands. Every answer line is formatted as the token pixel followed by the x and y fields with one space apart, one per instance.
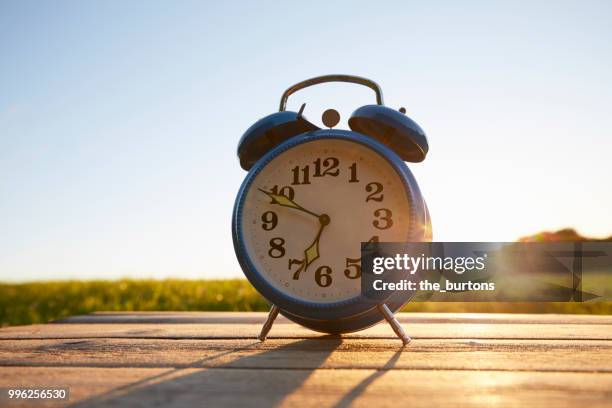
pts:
pixel 307 211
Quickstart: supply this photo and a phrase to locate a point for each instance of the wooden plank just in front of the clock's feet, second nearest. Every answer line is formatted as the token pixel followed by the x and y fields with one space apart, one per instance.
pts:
pixel 507 355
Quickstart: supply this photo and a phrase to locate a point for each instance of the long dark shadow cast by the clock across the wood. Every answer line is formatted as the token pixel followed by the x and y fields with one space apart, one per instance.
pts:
pixel 262 376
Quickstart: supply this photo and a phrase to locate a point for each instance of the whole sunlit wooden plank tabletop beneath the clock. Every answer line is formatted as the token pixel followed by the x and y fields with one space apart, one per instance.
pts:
pixel 213 359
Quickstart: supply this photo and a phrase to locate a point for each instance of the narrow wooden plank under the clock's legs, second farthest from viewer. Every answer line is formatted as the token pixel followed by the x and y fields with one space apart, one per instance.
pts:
pixel 211 331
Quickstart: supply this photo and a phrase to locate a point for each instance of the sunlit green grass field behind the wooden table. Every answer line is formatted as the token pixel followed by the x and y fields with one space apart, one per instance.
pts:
pixel 41 302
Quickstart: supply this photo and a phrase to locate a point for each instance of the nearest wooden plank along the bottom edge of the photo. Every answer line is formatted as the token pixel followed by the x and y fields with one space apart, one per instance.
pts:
pixel 143 387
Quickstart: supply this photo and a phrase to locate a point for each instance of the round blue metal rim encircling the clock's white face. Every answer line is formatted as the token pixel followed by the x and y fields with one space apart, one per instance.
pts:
pixel 326 311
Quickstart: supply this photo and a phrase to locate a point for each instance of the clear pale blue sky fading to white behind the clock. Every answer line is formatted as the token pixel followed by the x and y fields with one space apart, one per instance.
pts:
pixel 119 119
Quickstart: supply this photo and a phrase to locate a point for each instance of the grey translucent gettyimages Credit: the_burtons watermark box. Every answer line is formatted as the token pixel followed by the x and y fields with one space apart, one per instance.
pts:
pixel 489 271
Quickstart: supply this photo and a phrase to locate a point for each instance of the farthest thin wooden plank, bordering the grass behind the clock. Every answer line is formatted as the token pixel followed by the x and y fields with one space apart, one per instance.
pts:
pixel 258 317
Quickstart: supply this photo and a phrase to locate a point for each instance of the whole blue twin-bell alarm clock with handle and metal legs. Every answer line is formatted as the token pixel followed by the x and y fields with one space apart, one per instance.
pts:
pixel 310 199
